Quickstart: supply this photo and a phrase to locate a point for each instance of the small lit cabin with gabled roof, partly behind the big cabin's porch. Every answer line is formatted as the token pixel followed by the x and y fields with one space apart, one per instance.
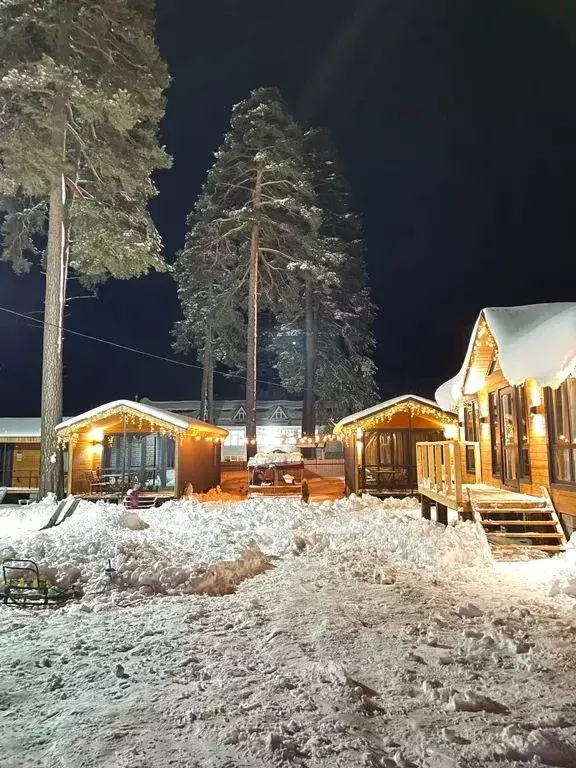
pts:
pixel 380 443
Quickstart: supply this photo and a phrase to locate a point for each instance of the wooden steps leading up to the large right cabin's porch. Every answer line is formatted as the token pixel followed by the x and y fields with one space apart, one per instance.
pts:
pixel 518 521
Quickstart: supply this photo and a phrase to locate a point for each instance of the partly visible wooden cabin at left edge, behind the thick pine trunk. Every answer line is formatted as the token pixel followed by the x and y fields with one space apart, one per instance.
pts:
pixel 19 457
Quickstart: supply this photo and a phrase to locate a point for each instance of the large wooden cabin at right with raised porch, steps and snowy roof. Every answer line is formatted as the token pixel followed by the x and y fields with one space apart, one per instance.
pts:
pixel 515 396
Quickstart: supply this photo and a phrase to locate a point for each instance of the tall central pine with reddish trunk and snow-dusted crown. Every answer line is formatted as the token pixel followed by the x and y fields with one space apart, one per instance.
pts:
pixel 261 203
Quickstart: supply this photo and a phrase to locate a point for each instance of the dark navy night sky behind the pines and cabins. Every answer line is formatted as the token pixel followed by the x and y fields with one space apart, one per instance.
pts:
pixel 456 124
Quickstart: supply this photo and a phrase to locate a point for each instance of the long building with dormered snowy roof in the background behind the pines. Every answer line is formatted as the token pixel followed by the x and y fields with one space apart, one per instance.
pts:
pixel 279 422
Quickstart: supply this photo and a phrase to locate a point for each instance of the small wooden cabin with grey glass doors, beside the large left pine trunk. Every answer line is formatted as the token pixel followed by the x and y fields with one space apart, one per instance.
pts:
pixel 125 444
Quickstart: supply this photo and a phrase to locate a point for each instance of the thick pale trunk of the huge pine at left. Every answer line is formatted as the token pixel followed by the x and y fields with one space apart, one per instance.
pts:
pixel 51 465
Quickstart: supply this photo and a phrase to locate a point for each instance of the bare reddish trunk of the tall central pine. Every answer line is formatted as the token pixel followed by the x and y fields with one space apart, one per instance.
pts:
pixel 252 342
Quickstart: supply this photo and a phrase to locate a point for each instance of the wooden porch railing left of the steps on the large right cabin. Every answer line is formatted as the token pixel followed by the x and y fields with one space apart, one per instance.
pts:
pixel 440 466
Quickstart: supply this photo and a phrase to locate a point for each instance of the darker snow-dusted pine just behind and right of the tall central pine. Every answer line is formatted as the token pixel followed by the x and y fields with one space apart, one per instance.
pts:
pixel 324 343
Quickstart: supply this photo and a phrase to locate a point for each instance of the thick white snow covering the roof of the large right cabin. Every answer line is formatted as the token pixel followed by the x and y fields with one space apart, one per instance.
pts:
pixel 535 341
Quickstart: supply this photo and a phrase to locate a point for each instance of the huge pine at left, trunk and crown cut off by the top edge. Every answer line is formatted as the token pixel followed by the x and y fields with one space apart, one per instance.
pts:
pixel 81 94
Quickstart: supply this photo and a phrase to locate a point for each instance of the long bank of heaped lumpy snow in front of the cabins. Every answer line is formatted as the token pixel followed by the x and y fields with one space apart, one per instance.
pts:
pixel 166 549
